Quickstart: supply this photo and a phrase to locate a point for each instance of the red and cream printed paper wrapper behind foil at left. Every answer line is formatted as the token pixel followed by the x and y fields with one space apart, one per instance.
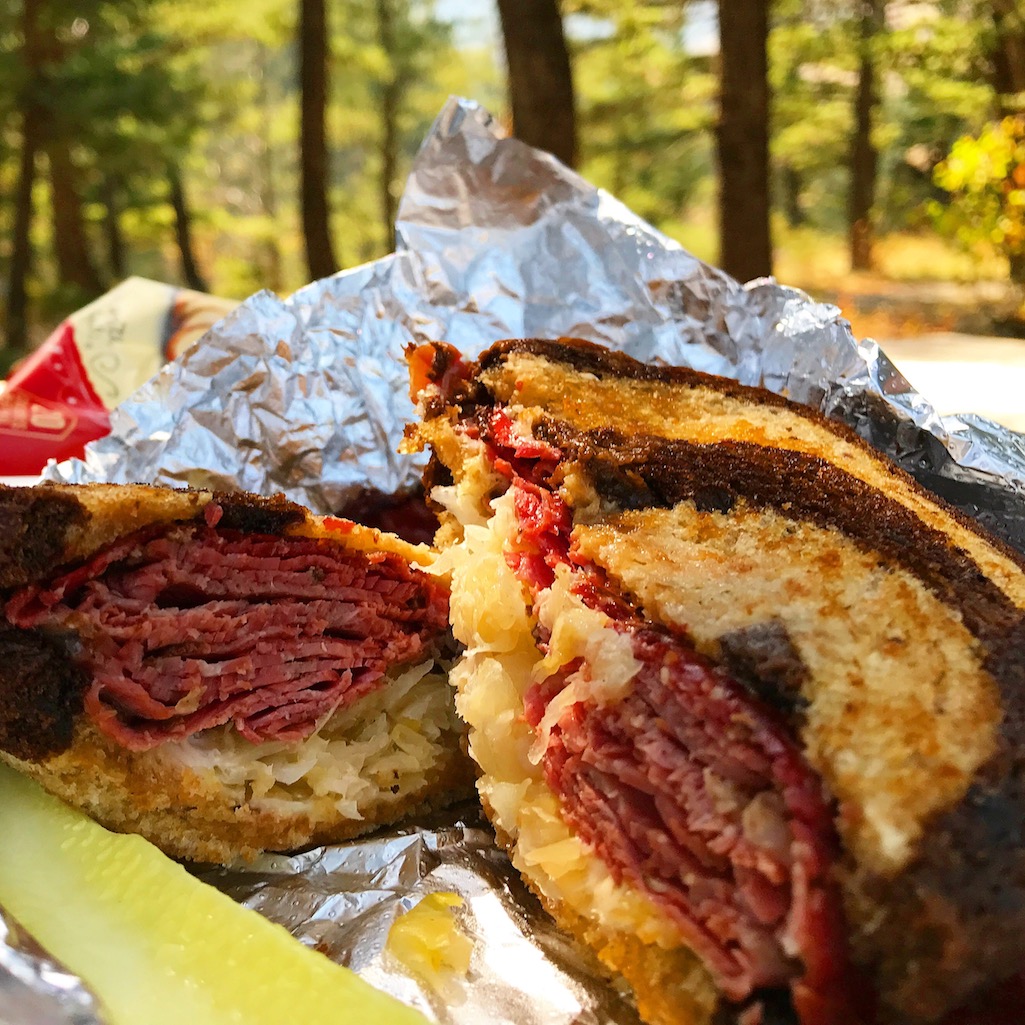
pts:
pixel 60 398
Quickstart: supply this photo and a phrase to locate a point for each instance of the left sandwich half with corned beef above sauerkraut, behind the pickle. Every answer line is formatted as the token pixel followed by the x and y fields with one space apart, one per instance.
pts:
pixel 223 674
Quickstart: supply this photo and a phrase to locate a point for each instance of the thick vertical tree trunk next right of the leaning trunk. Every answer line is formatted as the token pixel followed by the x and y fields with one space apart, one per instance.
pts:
pixel 743 139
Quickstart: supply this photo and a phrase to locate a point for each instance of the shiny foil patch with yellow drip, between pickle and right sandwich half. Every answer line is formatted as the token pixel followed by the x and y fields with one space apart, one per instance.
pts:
pixel 344 900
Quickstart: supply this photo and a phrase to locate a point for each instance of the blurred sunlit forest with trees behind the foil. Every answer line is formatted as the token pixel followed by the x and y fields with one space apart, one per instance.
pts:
pixel 871 151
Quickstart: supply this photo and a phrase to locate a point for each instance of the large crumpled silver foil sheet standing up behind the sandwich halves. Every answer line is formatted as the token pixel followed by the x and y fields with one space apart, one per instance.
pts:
pixel 496 240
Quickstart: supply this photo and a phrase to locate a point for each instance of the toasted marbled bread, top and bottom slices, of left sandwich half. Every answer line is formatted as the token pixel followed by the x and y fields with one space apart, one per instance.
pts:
pixel 190 814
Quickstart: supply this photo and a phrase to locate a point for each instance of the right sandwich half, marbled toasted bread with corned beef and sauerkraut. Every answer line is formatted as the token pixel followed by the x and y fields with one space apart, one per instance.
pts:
pixel 748 702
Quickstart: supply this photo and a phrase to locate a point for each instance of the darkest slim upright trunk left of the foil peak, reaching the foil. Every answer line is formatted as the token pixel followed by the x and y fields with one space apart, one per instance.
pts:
pixel 314 174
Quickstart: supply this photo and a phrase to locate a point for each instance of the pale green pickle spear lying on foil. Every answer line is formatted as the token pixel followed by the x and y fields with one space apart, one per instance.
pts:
pixel 154 944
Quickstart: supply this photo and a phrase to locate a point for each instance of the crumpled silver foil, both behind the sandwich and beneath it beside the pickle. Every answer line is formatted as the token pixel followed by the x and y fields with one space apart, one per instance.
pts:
pixel 309 397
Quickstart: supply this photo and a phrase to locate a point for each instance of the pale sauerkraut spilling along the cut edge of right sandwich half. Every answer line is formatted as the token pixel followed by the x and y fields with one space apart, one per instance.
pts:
pixel 489 614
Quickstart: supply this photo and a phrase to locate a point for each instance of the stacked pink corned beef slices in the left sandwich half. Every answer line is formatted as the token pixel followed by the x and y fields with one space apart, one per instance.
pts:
pixel 191 628
